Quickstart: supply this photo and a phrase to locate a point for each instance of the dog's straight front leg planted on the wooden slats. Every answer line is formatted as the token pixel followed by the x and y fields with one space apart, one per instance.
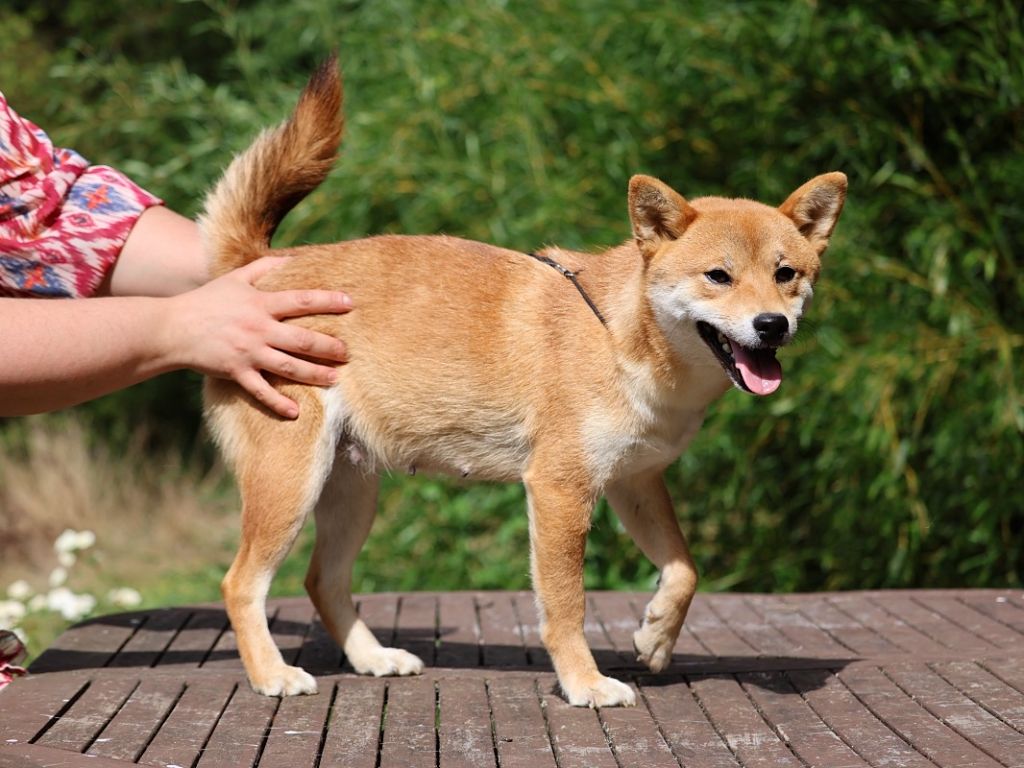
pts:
pixel 560 519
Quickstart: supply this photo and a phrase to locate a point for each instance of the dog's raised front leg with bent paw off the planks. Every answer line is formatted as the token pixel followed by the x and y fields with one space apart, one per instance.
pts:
pixel 644 505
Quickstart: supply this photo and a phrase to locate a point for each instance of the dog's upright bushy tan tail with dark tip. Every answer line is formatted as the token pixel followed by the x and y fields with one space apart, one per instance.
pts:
pixel 278 170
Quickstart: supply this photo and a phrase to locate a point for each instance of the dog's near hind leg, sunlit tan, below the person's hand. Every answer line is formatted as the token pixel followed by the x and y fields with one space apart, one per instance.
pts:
pixel 279 483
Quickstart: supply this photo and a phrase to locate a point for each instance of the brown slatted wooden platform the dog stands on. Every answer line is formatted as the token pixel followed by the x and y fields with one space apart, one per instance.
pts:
pixel 885 679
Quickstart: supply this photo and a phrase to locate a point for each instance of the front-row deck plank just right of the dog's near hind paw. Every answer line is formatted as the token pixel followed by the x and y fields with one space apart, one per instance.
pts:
pixel 355 731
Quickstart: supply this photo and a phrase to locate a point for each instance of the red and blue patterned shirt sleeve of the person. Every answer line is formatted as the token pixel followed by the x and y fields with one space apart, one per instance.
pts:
pixel 63 222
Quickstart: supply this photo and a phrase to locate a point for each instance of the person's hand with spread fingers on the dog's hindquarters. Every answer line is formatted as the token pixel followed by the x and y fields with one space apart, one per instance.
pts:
pixel 230 329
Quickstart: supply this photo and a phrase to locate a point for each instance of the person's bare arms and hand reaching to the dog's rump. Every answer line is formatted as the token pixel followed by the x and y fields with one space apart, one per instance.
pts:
pixel 62 353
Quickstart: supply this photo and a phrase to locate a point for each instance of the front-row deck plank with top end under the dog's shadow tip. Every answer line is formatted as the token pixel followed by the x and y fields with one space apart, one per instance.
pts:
pixel 856 724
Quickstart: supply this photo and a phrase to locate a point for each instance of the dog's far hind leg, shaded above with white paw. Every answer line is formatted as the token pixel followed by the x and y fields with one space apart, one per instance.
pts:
pixel 345 516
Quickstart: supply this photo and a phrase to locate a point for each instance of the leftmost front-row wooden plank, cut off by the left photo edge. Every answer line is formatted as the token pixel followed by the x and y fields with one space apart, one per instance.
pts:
pixel 33 704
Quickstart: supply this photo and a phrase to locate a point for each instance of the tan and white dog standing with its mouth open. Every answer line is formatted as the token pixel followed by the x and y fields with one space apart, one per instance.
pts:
pixel 481 362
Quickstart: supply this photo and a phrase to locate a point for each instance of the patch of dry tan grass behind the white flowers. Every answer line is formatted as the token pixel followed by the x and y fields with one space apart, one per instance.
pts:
pixel 157 519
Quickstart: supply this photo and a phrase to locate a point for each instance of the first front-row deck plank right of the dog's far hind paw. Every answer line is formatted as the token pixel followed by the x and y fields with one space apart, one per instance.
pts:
pixel 464 735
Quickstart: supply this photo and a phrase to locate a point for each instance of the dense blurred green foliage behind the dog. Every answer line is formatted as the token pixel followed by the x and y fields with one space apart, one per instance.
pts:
pixel 893 454
